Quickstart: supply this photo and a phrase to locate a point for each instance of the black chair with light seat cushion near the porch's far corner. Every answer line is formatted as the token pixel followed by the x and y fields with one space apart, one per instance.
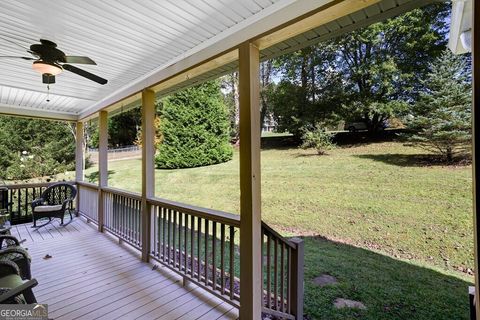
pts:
pixel 53 203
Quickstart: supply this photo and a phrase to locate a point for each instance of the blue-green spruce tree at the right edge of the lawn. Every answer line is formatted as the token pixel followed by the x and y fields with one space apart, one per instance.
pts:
pixel 441 119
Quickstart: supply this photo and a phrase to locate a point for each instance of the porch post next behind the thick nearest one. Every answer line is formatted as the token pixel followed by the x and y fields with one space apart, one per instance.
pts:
pixel 148 166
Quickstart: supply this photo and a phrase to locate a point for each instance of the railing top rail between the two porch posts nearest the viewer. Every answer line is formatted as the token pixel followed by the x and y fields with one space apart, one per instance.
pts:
pixel 210 214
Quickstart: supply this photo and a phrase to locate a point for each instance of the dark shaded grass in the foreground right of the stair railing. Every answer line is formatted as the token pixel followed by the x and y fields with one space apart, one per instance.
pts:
pixel 389 288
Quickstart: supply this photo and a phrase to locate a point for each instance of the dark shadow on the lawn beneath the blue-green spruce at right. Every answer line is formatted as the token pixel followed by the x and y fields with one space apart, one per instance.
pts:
pixel 411 160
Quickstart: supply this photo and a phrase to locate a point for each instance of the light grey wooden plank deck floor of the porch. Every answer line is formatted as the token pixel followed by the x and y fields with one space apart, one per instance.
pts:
pixel 90 276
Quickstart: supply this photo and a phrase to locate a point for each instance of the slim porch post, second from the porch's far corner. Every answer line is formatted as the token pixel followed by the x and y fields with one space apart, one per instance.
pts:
pixel 102 164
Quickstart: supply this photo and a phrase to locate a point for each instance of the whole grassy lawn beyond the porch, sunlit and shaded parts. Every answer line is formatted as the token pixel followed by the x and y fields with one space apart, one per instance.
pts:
pixel 413 220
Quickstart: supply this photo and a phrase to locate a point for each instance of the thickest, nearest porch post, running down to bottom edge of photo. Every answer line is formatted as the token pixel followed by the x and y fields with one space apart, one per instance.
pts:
pixel 250 206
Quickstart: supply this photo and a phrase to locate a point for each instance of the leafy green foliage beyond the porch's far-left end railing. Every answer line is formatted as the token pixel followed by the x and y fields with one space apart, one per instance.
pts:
pixel 32 148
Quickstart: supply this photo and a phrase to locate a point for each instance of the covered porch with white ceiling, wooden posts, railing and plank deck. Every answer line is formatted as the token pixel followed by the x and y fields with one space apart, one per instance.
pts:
pixel 217 265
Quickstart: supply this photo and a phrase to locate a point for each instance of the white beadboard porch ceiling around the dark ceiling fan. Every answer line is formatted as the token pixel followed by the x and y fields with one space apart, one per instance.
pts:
pixel 126 38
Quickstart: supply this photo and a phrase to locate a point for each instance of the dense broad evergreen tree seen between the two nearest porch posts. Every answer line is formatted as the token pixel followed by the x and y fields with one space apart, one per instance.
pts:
pixel 195 128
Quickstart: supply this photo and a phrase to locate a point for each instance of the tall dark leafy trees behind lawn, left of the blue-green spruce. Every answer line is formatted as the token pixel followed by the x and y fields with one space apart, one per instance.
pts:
pixel 367 75
